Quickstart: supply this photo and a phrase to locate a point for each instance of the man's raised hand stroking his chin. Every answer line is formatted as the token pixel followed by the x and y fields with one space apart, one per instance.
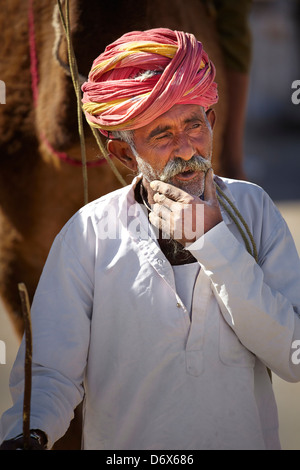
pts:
pixel 184 217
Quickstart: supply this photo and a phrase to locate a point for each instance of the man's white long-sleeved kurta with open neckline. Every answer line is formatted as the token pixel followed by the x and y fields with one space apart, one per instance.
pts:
pixel 106 321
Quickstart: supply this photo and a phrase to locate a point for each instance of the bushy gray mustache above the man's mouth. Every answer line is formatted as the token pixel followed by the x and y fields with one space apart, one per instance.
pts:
pixel 178 165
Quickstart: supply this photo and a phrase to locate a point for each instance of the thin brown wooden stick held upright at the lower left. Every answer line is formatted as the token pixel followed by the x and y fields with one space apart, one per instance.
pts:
pixel 28 363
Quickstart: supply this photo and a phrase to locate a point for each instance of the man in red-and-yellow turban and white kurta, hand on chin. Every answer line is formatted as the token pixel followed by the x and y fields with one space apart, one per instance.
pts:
pixel 150 306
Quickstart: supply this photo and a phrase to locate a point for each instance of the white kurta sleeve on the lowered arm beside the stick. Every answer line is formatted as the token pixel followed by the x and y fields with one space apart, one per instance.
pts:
pixel 61 313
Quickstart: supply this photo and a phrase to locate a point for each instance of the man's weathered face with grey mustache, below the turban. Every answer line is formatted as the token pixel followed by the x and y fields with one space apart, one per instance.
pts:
pixel 176 147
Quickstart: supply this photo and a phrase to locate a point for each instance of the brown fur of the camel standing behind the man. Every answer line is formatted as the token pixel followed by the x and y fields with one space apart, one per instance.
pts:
pixel 38 192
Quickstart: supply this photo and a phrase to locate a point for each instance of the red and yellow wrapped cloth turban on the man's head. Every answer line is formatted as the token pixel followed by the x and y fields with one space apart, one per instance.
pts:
pixel 142 75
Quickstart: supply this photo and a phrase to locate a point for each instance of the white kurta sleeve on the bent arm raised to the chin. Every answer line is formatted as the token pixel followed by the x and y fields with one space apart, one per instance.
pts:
pixel 260 301
